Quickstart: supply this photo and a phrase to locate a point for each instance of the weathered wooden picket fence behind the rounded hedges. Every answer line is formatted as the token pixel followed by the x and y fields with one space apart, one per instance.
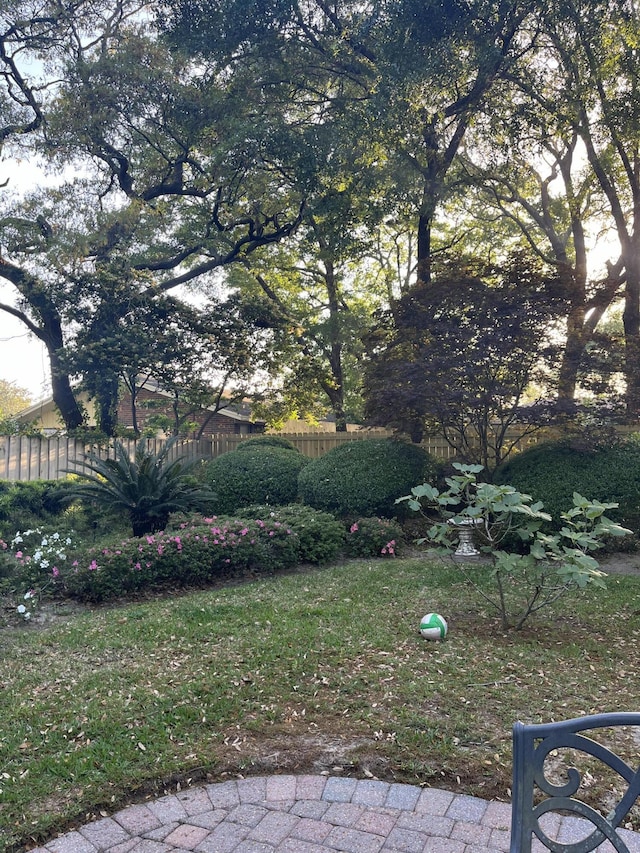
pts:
pixel 36 458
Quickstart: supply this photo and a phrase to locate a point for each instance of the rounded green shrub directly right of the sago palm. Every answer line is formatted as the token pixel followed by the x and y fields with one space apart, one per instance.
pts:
pixel 258 475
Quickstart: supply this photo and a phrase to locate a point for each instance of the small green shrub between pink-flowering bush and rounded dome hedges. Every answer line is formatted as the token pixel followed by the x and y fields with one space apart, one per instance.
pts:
pixel 320 535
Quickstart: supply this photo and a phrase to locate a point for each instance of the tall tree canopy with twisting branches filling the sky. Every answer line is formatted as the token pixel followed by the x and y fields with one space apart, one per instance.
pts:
pixel 236 197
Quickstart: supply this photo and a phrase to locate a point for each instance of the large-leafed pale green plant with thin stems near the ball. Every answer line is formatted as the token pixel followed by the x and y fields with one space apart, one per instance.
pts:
pixel 529 568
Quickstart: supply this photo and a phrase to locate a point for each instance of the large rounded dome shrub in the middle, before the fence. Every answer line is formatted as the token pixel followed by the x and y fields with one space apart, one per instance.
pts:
pixel 364 477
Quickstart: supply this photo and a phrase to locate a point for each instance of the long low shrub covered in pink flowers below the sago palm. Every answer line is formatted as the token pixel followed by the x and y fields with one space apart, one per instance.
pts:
pixel 197 552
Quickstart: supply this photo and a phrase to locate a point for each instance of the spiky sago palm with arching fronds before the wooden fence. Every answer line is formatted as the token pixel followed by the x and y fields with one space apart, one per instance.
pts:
pixel 148 487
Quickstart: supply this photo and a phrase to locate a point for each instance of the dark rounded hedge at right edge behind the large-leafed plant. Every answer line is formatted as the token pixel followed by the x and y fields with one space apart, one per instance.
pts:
pixel 552 472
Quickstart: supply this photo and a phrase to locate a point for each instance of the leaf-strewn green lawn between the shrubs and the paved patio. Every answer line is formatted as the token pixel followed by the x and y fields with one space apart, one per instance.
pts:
pixel 304 672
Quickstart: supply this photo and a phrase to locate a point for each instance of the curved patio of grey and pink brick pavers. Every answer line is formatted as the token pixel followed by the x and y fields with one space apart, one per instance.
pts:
pixel 310 814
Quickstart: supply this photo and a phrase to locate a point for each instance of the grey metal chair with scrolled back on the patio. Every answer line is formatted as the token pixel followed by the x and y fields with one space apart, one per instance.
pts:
pixel 531 747
